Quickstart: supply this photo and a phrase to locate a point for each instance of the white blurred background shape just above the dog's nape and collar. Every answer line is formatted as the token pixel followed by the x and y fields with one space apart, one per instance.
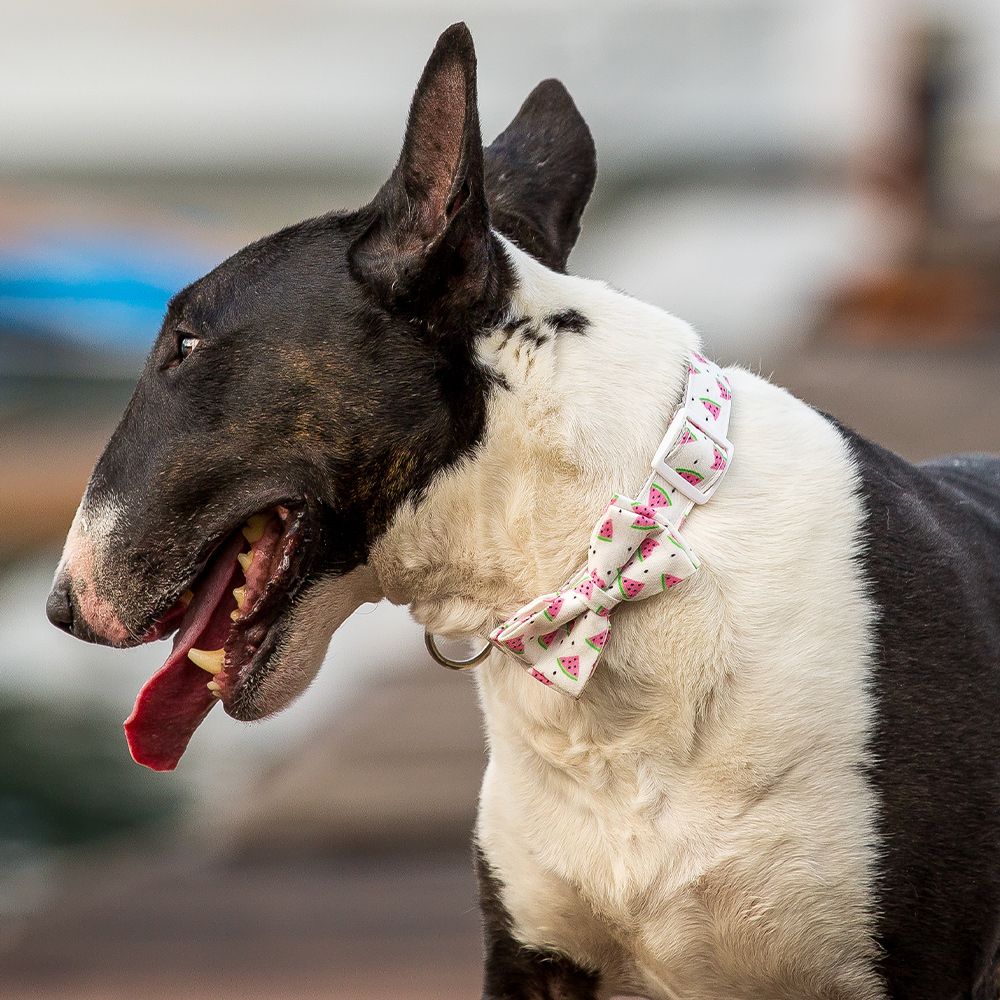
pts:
pixel 745 266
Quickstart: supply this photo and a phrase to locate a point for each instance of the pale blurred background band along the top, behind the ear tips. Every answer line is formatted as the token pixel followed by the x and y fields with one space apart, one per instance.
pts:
pixel 115 85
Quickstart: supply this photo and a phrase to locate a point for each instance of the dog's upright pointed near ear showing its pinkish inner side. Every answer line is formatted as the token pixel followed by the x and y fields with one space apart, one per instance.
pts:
pixel 427 250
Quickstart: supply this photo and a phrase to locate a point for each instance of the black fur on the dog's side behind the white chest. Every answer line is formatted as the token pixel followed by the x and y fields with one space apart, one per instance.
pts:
pixel 933 539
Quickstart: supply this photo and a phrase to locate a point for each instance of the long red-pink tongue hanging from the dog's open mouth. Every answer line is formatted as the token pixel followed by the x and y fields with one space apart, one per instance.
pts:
pixel 175 700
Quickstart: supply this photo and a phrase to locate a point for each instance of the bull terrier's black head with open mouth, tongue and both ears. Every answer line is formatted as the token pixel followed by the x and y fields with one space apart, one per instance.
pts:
pixel 297 395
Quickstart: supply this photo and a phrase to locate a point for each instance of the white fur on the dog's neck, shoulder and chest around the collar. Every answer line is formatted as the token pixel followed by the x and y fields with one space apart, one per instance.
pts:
pixel 698 825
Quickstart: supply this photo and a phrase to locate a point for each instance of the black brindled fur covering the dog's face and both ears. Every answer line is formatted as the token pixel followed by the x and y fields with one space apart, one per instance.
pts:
pixel 334 364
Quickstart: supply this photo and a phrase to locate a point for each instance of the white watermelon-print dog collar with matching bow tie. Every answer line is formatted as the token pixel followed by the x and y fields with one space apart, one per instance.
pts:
pixel 636 548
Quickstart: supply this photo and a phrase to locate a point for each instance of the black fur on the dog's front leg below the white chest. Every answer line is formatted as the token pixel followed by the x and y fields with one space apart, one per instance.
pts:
pixel 512 971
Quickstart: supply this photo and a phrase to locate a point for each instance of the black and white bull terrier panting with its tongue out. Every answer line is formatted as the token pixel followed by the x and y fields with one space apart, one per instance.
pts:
pixel 783 779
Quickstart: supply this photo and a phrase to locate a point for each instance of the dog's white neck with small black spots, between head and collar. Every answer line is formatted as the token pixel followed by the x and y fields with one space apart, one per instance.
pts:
pixel 588 379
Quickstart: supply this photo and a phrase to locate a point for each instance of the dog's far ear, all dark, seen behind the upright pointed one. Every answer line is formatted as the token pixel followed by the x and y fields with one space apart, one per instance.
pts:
pixel 540 172
